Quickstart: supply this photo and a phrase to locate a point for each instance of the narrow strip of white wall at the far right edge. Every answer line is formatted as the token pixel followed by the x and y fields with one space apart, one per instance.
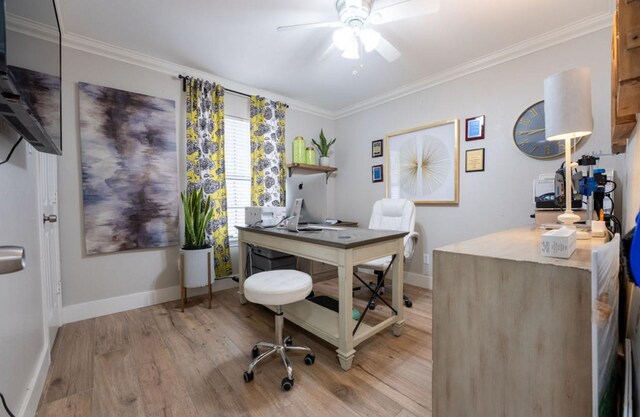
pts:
pixel 632 181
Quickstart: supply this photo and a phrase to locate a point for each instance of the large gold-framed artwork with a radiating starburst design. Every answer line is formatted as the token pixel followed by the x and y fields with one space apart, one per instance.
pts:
pixel 422 164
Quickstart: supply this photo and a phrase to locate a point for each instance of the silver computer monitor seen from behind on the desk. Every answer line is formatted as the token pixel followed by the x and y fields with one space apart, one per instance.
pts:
pixel 313 190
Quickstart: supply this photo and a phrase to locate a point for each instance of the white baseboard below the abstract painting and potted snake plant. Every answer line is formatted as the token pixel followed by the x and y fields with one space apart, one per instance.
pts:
pixel 97 308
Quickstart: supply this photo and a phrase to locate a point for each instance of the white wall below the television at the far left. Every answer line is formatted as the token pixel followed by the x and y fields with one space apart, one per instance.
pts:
pixel 22 344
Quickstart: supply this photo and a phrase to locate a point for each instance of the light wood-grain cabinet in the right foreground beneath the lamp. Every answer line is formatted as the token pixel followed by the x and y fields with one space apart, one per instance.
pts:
pixel 512 329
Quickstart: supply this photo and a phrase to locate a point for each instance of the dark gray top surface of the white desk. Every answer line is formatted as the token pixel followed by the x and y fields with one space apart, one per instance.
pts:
pixel 345 239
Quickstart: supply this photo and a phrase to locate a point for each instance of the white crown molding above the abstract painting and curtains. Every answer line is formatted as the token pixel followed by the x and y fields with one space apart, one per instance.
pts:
pixel 92 46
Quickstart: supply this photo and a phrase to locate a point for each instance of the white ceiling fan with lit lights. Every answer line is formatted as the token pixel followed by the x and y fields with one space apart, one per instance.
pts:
pixel 353 32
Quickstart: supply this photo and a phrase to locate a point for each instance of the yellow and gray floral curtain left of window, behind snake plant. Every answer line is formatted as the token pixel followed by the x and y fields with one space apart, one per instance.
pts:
pixel 205 162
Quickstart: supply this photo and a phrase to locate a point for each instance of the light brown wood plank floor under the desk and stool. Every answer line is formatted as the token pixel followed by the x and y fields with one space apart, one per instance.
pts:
pixel 159 362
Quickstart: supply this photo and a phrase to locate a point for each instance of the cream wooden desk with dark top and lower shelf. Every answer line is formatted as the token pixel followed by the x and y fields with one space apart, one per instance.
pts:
pixel 334 248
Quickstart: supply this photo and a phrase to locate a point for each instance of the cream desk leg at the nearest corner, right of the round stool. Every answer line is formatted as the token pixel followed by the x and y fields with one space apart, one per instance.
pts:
pixel 345 319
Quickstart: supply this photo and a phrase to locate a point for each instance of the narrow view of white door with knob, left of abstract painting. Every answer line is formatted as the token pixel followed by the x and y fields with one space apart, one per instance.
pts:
pixel 49 244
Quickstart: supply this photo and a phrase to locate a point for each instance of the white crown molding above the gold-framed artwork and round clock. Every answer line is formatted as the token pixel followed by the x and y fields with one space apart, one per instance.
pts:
pixel 518 50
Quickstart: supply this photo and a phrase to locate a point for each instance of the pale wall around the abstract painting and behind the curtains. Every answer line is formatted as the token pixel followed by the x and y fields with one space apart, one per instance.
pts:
pixel 127 276
